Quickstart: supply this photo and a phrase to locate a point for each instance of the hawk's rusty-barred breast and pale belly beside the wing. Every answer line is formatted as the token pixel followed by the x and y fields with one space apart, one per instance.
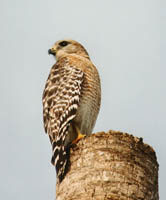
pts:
pixel 89 104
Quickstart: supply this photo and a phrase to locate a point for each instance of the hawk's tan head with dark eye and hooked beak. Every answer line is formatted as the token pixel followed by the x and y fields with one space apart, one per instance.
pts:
pixel 63 47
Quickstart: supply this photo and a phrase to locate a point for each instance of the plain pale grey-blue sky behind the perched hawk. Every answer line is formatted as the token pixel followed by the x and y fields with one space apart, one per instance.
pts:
pixel 125 40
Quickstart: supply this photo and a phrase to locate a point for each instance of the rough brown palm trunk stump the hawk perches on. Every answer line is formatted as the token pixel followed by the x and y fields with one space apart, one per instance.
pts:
pixel 110 166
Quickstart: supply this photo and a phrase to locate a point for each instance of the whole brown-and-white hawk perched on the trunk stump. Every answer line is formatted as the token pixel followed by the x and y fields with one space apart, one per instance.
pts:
pixel 71 100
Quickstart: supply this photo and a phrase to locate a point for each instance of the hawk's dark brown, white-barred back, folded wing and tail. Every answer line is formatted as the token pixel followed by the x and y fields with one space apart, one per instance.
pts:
pixel 60 103
